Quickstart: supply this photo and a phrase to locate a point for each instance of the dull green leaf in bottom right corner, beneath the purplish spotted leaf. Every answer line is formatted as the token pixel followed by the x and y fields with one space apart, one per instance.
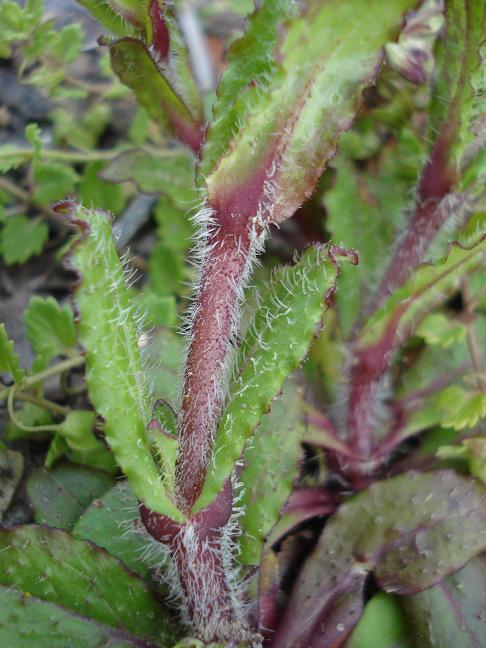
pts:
pixel 452 612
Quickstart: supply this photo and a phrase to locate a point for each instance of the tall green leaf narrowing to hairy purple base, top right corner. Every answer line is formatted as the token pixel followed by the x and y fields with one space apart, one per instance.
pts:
pixel 452 125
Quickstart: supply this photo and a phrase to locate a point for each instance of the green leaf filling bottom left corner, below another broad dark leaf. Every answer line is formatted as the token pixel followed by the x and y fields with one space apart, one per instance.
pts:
pixel 27 621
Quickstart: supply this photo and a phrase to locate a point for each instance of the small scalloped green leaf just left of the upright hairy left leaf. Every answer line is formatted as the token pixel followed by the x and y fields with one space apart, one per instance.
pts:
pixel 49 327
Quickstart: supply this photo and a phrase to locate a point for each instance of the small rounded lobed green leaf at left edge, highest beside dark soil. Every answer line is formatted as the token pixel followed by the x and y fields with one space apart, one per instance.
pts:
pixel 22 238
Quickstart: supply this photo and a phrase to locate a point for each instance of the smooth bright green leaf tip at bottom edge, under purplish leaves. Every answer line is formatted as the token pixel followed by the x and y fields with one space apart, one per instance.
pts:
pixel 383 625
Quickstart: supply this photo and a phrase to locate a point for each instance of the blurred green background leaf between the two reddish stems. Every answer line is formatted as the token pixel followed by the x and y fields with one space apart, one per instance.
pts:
pixel 364 210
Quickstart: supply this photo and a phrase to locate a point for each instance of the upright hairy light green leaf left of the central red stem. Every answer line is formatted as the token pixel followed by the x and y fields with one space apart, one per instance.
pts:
pixel 108 331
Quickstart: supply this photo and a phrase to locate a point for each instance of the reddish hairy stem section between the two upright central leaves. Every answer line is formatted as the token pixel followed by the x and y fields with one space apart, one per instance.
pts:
pixel 222 278
